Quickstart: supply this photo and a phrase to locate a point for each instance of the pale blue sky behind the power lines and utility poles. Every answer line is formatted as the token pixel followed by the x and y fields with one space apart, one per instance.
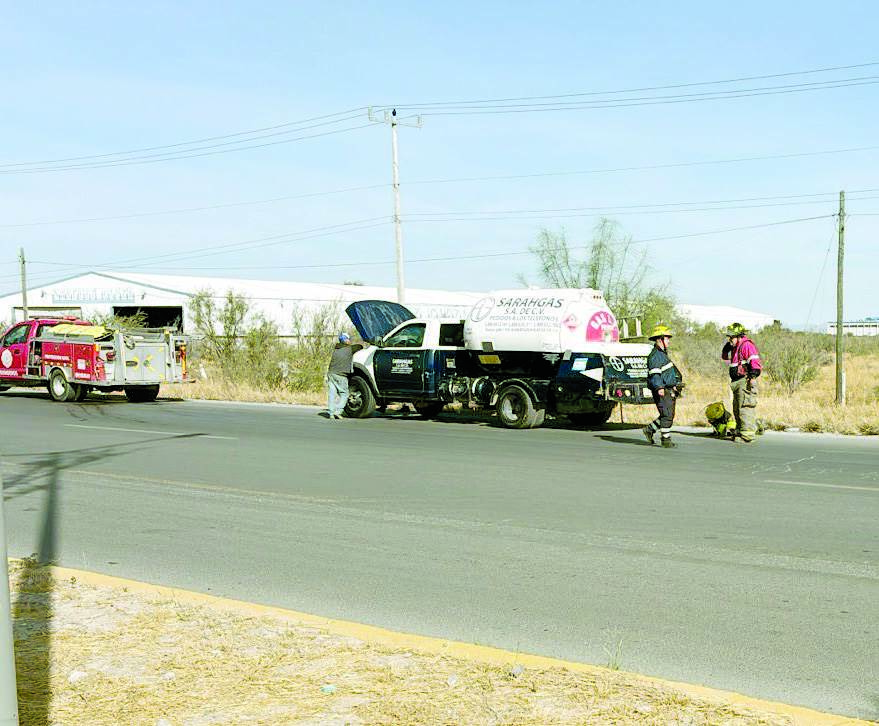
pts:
pixel 93 78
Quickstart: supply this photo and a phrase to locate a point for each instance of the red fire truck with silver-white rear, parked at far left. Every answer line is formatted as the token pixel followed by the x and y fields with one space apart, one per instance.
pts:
pixel 72 357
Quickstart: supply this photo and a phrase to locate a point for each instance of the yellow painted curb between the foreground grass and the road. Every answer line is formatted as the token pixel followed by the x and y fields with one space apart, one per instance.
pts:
pixel 437 646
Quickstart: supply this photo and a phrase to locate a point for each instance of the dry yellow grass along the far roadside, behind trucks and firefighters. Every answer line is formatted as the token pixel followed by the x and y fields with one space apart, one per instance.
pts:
pixel 810 409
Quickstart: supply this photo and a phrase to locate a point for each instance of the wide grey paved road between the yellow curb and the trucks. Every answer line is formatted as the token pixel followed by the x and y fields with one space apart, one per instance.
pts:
pixel 747 568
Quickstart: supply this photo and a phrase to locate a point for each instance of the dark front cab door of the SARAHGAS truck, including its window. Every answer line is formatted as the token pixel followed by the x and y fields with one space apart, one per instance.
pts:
pixel 401 364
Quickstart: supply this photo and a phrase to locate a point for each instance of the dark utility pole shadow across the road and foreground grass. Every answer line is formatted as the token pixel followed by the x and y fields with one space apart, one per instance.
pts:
pixel 32 607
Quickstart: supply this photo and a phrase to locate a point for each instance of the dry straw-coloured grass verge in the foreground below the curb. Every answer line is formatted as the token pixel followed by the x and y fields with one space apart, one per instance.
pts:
pixel 101 656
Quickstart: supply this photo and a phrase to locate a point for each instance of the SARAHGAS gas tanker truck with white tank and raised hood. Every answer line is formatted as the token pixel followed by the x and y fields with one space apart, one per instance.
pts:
pixel 524 353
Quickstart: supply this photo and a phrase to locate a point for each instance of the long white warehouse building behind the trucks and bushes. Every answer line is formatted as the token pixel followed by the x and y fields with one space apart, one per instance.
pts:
pixel 165 300
